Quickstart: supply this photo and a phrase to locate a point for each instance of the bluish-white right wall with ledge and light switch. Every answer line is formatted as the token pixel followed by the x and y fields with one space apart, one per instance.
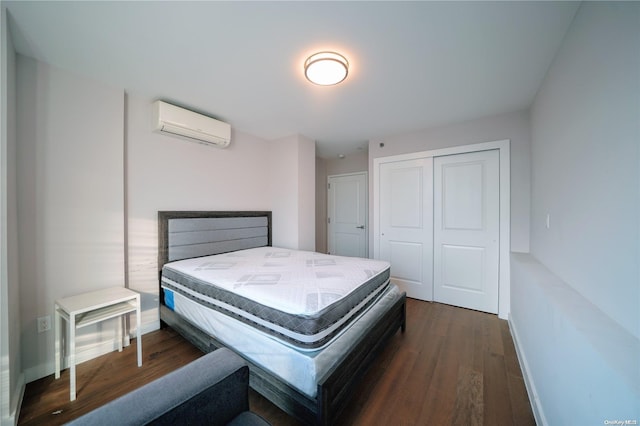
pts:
pixel 575 299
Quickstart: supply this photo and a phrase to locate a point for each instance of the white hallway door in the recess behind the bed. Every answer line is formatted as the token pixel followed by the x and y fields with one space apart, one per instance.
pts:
pixel 347 215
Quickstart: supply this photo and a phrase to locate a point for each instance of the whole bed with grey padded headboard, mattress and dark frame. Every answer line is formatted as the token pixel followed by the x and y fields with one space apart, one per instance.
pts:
pixel 305 364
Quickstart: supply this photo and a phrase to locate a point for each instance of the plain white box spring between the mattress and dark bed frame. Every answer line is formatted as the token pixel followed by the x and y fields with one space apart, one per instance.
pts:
pixel 298 368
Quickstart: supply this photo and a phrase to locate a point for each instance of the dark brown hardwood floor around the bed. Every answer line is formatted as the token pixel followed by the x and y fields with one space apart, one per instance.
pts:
pixel 451 366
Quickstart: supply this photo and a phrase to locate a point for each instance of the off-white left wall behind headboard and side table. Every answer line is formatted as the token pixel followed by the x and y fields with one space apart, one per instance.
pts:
pixel 77 154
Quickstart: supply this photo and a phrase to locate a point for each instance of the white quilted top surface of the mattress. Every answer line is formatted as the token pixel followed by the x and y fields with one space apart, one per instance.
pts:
pixel 292 281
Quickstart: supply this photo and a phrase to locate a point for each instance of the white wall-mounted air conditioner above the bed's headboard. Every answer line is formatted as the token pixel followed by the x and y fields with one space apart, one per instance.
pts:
pixel 178 121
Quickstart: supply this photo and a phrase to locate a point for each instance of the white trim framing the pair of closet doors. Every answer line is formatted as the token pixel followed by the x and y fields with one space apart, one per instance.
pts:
pixel 503 146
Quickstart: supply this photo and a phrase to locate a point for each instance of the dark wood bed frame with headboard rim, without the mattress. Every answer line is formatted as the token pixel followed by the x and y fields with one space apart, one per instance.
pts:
pixel 334 387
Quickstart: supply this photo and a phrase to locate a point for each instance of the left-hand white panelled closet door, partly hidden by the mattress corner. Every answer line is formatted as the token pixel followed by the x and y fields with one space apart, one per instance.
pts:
pixel 406 224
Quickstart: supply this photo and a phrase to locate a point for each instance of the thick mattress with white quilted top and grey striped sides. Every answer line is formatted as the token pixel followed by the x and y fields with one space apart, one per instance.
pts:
pixel 303 298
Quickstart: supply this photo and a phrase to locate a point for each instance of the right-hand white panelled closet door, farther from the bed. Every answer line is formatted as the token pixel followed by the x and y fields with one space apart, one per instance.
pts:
pixel 467 230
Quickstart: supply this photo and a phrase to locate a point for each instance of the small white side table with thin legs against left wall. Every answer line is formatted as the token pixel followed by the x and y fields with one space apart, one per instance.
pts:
pixel 90 308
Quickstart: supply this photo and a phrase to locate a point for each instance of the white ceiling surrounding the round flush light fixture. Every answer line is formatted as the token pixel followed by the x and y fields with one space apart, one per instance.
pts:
pixel 414 65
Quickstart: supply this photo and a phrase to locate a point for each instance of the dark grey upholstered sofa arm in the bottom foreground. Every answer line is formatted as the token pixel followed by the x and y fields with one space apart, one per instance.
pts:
pixel 212 390
